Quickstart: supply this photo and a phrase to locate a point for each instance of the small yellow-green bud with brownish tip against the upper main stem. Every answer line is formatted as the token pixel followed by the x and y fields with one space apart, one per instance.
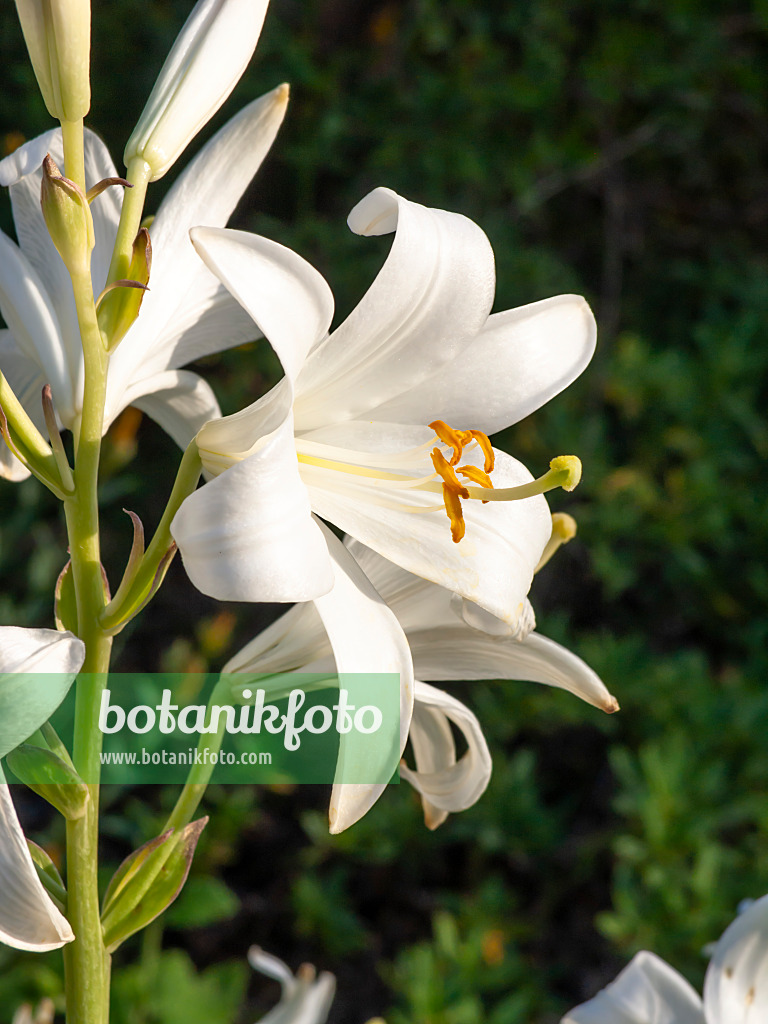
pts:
pixel 68 219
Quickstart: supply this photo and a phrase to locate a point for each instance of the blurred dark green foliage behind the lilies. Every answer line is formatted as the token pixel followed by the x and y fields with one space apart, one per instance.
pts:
pixel 618 150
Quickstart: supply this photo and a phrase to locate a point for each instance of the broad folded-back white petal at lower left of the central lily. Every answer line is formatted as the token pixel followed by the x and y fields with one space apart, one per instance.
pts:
pixel 249 535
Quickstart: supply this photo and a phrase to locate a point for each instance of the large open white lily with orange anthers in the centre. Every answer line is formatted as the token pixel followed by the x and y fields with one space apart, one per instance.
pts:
pixel 345 434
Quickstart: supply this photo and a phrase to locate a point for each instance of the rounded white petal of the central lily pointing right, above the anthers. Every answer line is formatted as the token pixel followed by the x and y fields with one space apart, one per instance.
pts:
pixel 521 360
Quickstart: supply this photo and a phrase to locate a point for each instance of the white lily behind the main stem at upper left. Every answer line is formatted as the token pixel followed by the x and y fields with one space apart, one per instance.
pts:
pixel 186 315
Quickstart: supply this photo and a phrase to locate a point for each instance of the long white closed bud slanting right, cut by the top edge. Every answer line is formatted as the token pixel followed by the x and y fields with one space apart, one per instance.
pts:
pixel 208 58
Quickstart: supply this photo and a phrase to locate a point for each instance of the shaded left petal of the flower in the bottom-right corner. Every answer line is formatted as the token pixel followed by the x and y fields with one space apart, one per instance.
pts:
pixel 648 992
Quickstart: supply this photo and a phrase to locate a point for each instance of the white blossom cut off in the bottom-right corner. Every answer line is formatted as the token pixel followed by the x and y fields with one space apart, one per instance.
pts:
pixel 650 992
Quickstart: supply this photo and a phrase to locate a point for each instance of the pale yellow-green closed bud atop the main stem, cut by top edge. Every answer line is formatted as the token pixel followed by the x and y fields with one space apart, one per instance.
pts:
pixel 58 34
